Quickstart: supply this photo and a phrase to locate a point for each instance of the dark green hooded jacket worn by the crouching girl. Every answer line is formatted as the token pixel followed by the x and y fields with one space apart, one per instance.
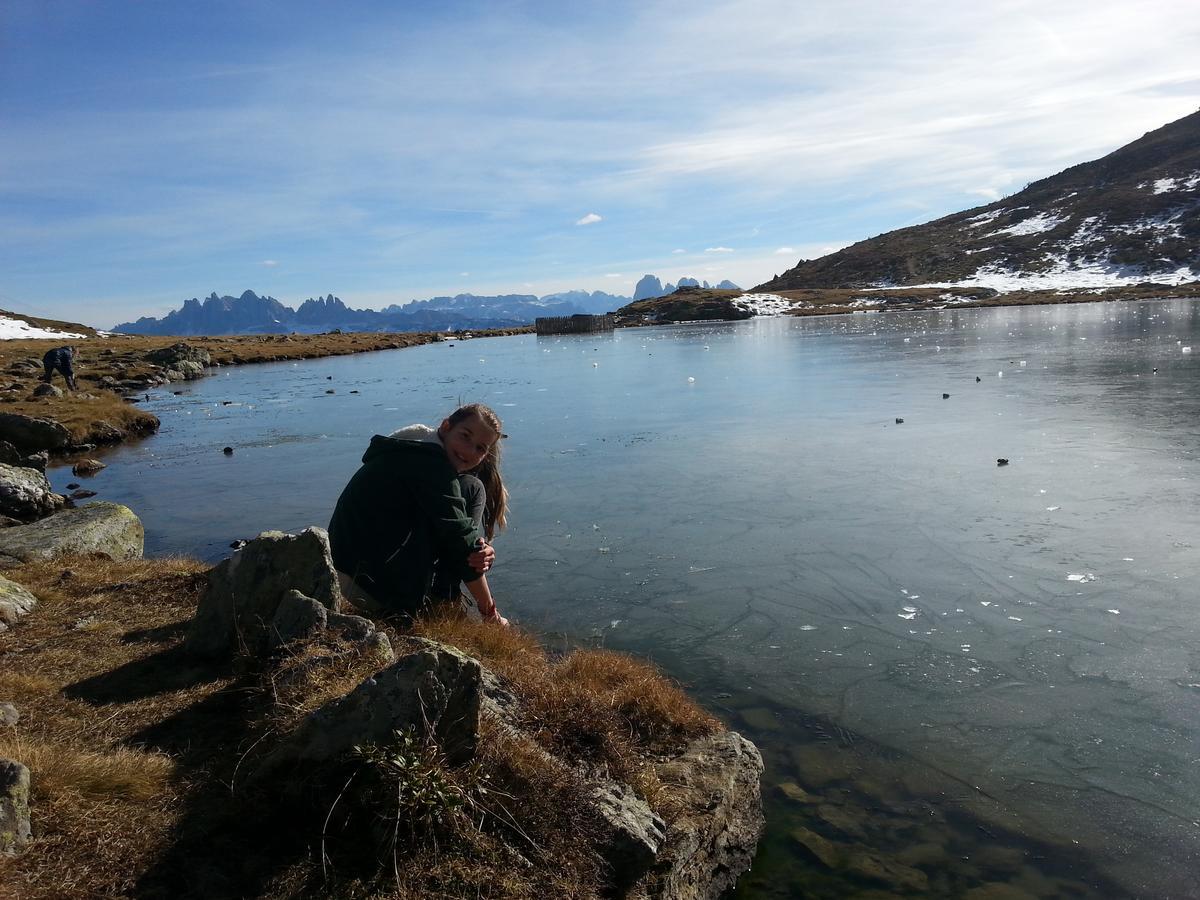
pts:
pixel 401 514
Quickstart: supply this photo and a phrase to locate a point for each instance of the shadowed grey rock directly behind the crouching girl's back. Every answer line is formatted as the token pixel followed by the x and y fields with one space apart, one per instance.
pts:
pixel 245 591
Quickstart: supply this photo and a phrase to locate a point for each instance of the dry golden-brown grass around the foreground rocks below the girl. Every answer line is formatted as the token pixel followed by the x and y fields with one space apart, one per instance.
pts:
pixel 141 754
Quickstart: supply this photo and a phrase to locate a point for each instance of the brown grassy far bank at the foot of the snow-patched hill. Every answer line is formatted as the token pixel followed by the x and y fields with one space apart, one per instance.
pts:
pixel 710 305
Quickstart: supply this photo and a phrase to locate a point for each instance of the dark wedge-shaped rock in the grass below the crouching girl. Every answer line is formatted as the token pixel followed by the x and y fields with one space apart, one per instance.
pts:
pixel 435 691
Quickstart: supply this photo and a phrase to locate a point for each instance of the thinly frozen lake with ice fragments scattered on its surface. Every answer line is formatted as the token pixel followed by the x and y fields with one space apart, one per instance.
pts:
pixel 962 673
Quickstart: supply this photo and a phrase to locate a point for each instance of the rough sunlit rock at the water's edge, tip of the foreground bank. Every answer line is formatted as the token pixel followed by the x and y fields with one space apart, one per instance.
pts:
pixel 713 842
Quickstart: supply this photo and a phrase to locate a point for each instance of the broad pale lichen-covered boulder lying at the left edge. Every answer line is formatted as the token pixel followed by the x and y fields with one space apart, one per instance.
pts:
pixel 95 529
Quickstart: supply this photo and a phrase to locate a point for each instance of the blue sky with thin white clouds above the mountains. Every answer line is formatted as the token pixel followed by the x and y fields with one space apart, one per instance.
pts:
pixel 388 152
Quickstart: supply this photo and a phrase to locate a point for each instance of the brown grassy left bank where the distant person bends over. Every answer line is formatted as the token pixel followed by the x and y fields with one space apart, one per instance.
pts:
pixel 110 369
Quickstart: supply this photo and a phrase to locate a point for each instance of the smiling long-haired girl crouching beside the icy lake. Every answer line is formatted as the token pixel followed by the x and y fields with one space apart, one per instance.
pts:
pixel 419 515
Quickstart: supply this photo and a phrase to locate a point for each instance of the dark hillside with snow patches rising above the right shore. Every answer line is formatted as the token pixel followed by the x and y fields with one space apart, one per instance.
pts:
pixel 1131 217
